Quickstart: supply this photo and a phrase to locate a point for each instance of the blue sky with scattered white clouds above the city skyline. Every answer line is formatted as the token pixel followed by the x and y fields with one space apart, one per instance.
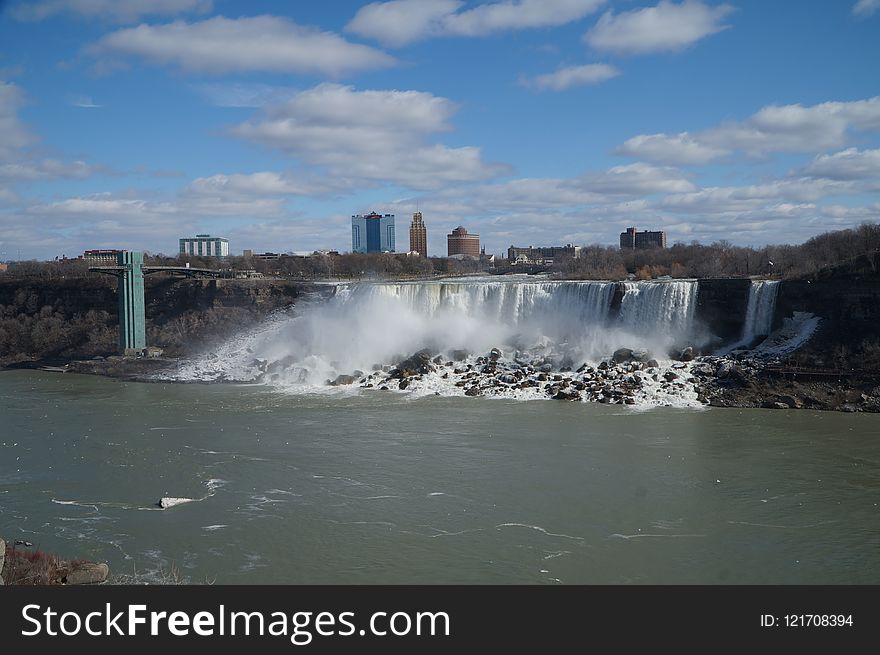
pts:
pixel 132 123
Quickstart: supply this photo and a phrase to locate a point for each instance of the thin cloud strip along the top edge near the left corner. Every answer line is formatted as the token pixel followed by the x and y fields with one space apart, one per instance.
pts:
pixel 115 10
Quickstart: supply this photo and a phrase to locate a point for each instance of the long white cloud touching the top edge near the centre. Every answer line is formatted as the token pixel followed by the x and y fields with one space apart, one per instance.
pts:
pixel 400 22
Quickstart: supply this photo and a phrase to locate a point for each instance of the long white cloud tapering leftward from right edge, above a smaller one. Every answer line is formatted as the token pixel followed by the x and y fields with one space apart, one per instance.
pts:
pixel 786 128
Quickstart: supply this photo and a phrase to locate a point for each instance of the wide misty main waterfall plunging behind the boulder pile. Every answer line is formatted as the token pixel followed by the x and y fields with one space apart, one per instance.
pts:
pixel 368 325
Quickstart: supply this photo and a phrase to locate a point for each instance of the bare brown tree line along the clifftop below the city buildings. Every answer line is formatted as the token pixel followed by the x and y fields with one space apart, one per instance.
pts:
pixel 718 259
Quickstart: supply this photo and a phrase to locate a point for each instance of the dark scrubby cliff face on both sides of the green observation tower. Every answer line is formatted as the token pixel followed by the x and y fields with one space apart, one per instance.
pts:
pixel 78 317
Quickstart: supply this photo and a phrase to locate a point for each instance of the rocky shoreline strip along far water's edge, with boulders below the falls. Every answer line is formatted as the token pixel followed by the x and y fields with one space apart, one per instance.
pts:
pixel 708 381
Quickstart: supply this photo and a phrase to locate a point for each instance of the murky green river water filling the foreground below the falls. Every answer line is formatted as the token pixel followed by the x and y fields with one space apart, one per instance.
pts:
pixel 383 488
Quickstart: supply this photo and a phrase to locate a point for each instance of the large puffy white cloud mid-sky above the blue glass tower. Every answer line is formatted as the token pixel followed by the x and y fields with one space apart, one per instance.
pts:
pixel 372 135
